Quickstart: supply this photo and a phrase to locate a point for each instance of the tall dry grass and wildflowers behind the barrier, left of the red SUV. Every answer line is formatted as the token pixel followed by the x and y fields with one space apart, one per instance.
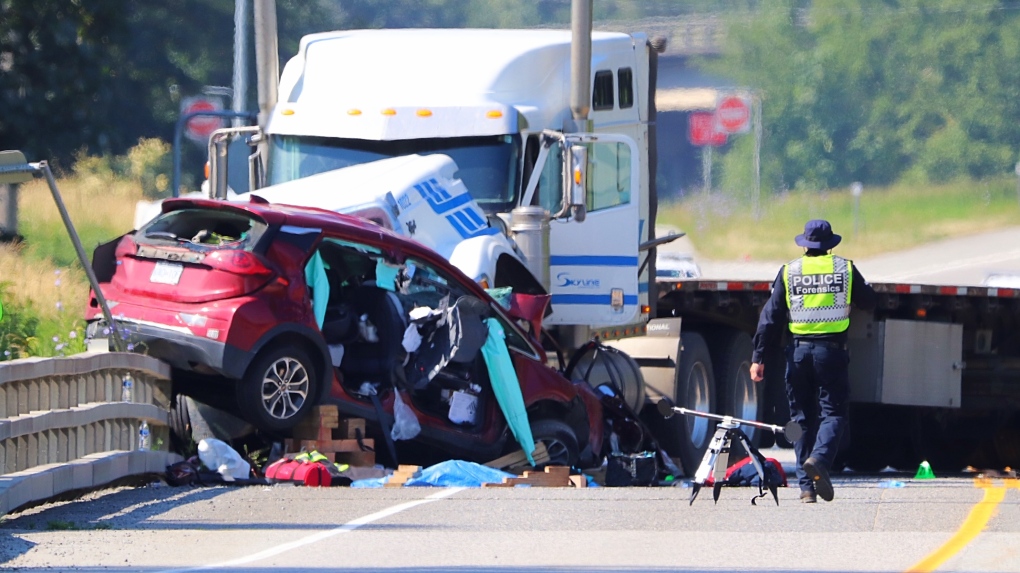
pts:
pixel 42 286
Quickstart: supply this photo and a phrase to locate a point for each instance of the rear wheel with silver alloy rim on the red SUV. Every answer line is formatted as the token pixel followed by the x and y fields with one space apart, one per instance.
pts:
pixel 279 390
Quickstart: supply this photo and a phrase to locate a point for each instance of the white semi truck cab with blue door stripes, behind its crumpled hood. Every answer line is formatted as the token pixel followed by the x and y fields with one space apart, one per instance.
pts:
pixel 497 103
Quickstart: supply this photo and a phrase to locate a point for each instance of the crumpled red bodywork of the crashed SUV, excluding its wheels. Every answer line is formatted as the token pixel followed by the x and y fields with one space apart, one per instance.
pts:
pixel 235 327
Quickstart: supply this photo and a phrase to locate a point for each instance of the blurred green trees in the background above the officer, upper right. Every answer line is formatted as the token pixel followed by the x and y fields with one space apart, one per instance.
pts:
pixel 858 90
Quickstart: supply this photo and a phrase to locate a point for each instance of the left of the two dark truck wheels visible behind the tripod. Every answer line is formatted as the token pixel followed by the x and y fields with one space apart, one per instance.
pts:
pixel 688 438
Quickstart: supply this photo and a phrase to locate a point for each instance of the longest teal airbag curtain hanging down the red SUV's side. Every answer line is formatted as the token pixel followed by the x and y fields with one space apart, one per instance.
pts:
pixel 506 387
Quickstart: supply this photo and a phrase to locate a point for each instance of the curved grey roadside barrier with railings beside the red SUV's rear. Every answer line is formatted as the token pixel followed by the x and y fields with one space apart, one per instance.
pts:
pixel 66 424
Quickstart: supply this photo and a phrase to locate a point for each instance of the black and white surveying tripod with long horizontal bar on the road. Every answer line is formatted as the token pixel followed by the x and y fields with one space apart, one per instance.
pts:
pixel 718 456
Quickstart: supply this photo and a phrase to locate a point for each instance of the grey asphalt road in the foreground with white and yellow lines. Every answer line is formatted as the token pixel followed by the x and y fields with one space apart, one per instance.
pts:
pixel 946 525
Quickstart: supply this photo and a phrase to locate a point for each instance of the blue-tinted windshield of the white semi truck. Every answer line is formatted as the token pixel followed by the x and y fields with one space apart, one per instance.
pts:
pixel 487 165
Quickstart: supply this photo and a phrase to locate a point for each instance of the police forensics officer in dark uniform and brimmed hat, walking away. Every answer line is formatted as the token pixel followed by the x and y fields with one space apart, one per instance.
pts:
pixel 812 297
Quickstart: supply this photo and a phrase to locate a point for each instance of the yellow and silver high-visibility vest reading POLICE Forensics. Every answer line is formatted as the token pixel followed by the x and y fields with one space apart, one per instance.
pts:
pixel 819 291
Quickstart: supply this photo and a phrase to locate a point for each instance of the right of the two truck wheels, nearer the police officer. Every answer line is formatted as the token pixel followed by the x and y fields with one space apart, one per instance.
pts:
pixel 739 395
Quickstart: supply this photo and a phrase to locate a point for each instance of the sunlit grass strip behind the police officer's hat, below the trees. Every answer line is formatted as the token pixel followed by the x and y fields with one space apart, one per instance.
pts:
pixel 725 228
